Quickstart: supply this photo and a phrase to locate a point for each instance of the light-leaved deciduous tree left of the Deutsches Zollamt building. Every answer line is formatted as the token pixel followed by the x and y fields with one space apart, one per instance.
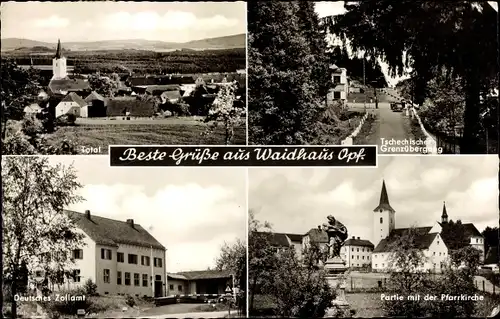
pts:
pixel 36 231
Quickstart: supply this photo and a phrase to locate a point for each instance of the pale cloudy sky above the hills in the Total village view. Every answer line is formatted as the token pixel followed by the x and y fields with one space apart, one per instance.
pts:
pixel 94 21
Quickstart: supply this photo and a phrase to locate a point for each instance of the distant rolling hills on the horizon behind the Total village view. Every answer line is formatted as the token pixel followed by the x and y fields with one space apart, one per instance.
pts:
pixel 226 42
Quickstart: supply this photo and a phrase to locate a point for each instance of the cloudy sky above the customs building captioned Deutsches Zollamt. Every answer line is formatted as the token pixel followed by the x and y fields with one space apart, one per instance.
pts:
pixel 191 211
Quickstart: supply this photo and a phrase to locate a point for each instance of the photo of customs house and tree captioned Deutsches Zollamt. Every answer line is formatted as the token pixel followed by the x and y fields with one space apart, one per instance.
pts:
pixel 82 239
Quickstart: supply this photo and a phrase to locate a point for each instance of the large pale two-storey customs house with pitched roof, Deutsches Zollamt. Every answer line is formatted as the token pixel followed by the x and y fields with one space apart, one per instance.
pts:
pixel 121 257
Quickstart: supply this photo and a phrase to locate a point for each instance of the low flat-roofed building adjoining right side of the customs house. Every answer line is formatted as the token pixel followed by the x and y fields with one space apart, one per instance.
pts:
pixel 205 282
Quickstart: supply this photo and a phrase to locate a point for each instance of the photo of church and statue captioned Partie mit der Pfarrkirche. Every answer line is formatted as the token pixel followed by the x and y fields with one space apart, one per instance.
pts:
pixel 414 237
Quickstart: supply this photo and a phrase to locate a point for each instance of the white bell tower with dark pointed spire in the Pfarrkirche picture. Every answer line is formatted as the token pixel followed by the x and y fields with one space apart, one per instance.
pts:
pixel 383 217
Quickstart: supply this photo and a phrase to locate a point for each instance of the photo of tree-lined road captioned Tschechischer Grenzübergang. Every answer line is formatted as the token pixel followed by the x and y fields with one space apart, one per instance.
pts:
pixel 412 77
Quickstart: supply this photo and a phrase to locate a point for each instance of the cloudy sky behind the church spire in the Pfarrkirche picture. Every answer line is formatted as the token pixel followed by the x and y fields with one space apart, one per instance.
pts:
pixel 294 200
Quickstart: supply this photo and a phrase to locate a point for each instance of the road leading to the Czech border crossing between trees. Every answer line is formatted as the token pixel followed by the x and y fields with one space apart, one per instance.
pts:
pixel 389 125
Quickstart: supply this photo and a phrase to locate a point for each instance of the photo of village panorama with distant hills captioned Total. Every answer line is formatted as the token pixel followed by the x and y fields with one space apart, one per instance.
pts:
pixel 80 76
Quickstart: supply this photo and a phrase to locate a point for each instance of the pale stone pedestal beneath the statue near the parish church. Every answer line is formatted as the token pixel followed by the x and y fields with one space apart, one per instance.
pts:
pixel 336 272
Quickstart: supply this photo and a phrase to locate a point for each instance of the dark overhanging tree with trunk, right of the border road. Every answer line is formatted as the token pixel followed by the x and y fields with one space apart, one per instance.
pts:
pixel 460 37
